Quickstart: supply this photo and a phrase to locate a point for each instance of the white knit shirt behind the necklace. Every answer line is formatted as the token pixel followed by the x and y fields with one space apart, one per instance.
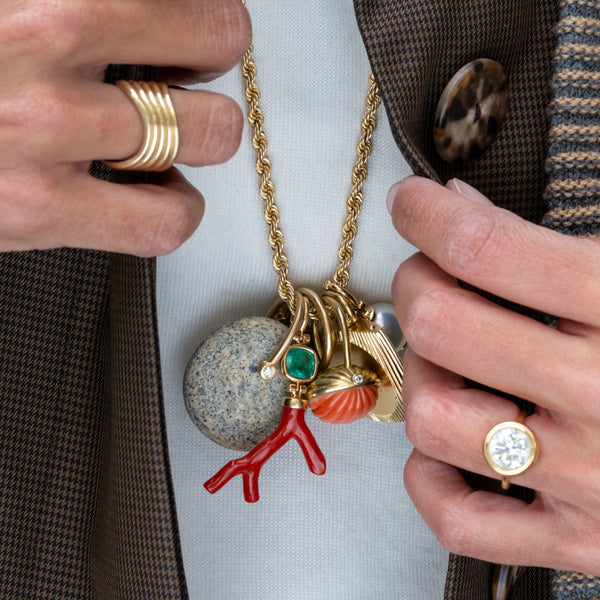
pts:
pixel 353 532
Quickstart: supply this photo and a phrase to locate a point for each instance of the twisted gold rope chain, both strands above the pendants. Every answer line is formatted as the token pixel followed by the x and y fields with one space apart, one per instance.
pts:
pixel 267 188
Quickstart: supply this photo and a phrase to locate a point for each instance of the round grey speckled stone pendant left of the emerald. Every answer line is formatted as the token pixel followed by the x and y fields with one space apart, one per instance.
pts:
pixel 224 394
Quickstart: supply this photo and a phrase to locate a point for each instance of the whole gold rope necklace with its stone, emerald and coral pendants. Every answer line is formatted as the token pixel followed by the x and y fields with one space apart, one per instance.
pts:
pixel 235 381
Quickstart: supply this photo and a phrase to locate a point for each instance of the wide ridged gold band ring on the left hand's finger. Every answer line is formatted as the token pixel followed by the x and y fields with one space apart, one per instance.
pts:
pixel 161 136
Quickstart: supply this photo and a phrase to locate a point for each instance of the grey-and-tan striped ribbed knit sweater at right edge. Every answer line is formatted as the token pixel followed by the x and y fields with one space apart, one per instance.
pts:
pixel 573 168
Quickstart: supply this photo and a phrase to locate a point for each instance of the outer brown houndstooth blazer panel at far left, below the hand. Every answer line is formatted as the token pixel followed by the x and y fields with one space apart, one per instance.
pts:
pixel 52 319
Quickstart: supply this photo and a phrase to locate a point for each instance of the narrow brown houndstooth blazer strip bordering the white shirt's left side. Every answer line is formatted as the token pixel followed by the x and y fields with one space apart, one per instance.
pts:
pixel 136 544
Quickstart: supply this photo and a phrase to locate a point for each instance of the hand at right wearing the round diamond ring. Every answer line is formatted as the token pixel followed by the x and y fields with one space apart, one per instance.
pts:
pixel 454 334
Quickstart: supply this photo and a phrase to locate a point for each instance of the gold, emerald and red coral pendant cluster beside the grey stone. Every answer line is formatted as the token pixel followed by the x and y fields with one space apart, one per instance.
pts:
pixel 331 329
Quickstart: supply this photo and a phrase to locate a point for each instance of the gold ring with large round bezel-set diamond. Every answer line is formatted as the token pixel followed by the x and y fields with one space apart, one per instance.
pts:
pixel 510 448
